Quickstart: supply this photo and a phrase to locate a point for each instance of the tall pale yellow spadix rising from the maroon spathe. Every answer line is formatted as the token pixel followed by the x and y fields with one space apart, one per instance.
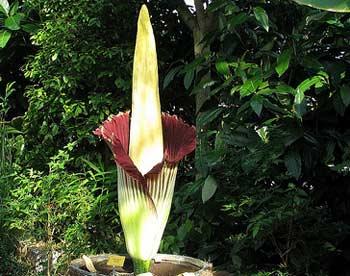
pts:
pixel 146 136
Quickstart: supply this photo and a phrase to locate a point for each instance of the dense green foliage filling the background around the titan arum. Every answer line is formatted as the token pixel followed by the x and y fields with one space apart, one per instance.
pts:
pixel 271 192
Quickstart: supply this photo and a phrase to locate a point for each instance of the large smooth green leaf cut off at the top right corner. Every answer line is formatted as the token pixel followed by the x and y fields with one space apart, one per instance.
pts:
pixel 329 5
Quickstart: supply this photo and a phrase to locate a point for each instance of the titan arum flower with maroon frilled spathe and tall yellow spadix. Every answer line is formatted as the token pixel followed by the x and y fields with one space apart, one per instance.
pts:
pixel 147 147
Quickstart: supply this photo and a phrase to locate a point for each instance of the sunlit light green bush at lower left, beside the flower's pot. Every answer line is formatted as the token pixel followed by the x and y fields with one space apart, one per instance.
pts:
pixel 71 213
